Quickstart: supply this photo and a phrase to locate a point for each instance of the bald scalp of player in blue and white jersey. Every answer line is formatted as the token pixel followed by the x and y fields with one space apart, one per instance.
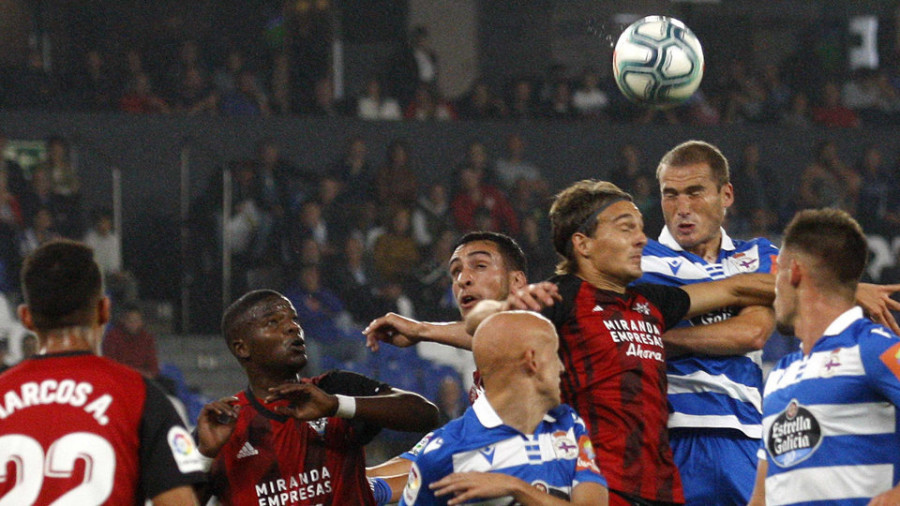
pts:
pixel 503 338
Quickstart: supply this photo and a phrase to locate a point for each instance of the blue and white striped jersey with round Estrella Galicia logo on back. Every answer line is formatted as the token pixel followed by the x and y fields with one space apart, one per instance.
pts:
pixel 830 427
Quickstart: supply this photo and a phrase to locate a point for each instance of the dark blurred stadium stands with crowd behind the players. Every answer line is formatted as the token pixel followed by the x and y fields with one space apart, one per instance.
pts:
pixel 334 150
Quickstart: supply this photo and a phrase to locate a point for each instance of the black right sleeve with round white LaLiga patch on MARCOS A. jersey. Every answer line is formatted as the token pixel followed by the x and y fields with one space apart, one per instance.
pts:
pixel 168 455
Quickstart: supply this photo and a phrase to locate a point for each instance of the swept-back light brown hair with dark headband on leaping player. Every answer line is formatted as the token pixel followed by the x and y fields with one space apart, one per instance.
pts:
pixel 575 209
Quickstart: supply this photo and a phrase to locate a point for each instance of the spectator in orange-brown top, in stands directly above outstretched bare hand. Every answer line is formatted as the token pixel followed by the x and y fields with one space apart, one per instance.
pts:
pixel 395 251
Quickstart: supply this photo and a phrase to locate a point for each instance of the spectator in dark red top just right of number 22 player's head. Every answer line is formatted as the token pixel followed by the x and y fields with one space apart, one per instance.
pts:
pixel 128 342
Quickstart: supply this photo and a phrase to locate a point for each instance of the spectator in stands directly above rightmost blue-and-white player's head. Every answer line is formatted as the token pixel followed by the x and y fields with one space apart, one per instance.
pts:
pixel 828 181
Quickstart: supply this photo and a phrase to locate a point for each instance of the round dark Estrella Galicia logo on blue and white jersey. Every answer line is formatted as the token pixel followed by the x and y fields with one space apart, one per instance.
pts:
pixel 794 435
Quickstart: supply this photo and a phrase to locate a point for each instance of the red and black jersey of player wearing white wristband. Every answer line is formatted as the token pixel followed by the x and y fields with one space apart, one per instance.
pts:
pixel 272 459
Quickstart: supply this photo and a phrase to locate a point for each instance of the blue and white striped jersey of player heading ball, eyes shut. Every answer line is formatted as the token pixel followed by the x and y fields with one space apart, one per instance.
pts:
pixel 711 391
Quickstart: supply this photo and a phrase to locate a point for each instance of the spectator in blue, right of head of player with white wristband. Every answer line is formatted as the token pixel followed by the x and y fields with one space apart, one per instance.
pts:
pixel 325 322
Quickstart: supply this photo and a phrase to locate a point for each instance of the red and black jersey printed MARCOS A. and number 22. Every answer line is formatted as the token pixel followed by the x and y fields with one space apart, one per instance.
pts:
pixel 76 428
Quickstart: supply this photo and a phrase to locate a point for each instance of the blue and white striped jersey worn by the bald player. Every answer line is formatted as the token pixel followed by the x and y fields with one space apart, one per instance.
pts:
pixel 555 459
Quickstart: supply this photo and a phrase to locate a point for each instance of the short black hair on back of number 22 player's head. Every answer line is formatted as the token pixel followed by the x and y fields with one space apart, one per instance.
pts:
pixel 62 285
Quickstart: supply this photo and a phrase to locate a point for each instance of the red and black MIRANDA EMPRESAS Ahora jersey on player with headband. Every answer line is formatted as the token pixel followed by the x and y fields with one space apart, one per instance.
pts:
pixel 612 349
